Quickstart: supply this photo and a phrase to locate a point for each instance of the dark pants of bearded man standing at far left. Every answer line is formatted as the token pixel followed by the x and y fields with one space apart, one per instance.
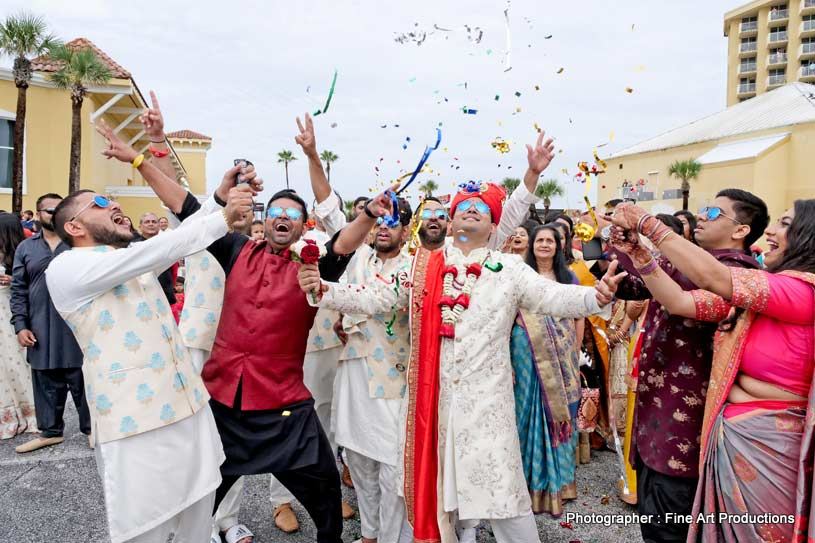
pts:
pixel 50 393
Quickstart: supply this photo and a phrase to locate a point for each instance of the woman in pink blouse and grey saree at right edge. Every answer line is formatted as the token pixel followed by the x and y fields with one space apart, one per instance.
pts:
pixel 757 437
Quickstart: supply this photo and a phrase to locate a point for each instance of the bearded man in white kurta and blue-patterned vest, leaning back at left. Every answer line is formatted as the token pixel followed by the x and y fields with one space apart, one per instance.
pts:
pixel 158 450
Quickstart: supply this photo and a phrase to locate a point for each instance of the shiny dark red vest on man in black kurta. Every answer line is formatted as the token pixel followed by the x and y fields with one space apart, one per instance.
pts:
pixel 262 335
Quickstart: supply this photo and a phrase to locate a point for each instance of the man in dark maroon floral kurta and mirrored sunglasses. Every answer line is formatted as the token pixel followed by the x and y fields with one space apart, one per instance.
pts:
pixel 674 368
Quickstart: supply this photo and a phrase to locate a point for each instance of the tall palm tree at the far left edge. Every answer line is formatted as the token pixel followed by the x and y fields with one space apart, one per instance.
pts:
pixel 22 36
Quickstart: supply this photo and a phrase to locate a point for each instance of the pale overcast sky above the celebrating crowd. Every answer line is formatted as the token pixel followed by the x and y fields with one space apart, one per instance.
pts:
pixel 241 71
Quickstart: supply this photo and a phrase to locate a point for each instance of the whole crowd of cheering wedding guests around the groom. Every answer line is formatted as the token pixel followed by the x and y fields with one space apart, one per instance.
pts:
pixel 456 363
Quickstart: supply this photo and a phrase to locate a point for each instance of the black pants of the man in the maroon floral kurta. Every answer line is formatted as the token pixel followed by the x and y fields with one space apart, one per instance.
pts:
pixel 658 494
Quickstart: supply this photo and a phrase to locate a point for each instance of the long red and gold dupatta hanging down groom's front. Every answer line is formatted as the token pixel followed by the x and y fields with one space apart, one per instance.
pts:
pixel 421 460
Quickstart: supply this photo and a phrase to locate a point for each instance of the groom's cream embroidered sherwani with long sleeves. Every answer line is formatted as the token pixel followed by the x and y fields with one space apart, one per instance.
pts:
pixel 479 453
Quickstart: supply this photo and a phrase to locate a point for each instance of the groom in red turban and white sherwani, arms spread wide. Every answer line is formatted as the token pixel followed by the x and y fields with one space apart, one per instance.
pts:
pixel 460 453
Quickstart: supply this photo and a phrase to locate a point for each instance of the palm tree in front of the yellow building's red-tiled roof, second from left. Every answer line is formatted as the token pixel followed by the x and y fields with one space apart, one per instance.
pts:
pixel 80 68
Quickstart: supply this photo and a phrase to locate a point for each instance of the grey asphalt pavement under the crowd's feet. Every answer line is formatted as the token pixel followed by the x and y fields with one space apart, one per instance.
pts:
pixel 55 495
